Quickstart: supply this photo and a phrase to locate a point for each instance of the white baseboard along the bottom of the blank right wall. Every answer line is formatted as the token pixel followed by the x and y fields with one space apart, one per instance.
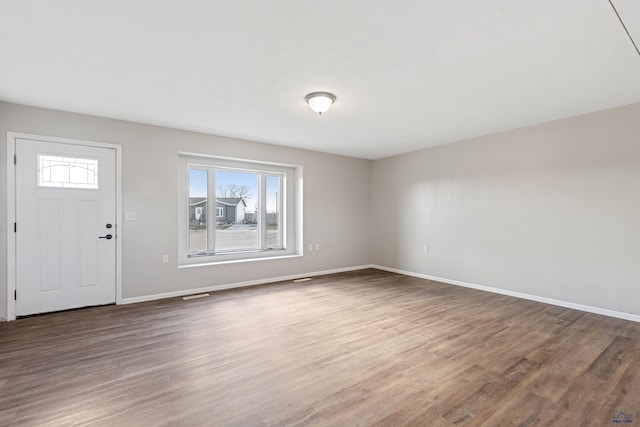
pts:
pixel 566 304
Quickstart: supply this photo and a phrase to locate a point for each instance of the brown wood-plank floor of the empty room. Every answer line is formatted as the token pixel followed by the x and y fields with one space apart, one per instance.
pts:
pixel 362 348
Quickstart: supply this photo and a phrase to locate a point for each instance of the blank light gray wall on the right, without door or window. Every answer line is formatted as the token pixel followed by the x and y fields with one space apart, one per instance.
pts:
pixel 551 210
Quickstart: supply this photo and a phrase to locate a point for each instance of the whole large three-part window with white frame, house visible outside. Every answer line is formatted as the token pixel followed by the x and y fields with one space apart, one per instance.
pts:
pixel 257 210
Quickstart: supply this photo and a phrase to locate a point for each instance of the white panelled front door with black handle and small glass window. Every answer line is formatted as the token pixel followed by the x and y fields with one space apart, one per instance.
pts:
pixel 65 226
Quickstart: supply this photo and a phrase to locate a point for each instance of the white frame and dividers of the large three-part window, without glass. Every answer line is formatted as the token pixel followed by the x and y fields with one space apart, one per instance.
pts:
pixel 290 208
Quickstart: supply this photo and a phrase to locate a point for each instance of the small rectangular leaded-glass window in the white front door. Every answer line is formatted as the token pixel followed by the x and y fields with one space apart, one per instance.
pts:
pixel 67 172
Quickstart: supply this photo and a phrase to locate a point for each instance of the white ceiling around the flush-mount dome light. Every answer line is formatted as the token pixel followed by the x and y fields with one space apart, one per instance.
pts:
pixel 408 74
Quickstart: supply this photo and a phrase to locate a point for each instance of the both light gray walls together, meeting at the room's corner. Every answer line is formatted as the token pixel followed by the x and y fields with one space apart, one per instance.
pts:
pixel 551 210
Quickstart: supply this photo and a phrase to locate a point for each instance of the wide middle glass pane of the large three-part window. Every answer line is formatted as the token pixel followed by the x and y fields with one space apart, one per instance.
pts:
pixel 237 200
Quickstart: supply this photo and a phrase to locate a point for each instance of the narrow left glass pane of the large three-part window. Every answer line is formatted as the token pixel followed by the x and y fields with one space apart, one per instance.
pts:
pixel 197 211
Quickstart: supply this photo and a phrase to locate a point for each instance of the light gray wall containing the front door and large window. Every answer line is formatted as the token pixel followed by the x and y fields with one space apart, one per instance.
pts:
pixel 150 186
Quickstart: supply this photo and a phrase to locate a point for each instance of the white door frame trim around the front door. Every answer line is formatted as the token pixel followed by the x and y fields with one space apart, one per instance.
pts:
pixel 11 209
